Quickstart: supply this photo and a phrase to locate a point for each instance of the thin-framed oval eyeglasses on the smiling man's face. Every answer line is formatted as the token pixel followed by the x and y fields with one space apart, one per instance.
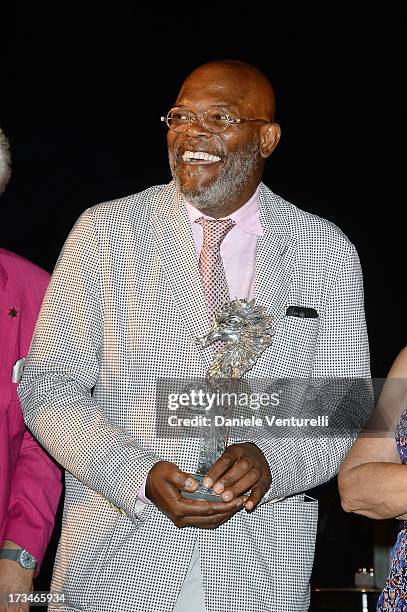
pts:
pixel 214 119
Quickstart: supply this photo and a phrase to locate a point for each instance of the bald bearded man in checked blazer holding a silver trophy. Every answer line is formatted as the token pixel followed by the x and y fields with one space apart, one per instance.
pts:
pixel 132 289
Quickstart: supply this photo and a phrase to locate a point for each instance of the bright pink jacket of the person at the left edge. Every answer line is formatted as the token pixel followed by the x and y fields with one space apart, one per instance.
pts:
pixel 30 481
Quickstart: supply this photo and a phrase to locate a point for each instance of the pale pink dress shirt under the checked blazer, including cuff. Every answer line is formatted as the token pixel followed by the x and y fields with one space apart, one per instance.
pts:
pixel 238 252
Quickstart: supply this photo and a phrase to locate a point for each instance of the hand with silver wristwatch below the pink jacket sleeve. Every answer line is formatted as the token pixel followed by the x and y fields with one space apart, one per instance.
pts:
pixel 14 579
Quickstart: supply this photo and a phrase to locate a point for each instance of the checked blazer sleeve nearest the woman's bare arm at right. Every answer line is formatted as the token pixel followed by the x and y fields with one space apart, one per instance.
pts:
pixel 341 379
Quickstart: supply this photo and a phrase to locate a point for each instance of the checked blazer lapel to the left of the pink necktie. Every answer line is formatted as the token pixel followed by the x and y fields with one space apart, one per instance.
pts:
pixel 176 249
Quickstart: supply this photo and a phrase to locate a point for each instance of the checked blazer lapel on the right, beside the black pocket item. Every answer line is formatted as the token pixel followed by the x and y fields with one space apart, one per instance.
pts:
pixel 275 256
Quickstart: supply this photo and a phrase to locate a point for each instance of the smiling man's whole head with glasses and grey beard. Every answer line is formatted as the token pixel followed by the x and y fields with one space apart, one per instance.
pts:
pixel 224 134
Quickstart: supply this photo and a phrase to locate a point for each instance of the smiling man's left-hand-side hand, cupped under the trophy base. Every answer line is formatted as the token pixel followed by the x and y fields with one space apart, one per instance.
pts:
pixel 163 487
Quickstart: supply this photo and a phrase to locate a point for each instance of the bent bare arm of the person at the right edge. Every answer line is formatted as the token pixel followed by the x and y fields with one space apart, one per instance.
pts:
pixel 372 479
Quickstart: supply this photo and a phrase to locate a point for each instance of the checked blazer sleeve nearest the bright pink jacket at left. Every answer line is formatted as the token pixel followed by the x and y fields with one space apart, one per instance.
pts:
pixel 61 371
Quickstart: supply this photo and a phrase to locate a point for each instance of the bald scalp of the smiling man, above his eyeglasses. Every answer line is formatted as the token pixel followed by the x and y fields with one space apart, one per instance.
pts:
pixel 250 86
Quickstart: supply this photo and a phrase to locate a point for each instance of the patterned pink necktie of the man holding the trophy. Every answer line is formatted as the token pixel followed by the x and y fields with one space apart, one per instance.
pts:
pixel 210 262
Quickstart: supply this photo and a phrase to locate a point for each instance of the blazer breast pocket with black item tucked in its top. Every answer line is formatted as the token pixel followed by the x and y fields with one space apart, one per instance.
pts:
pixel 295 344
